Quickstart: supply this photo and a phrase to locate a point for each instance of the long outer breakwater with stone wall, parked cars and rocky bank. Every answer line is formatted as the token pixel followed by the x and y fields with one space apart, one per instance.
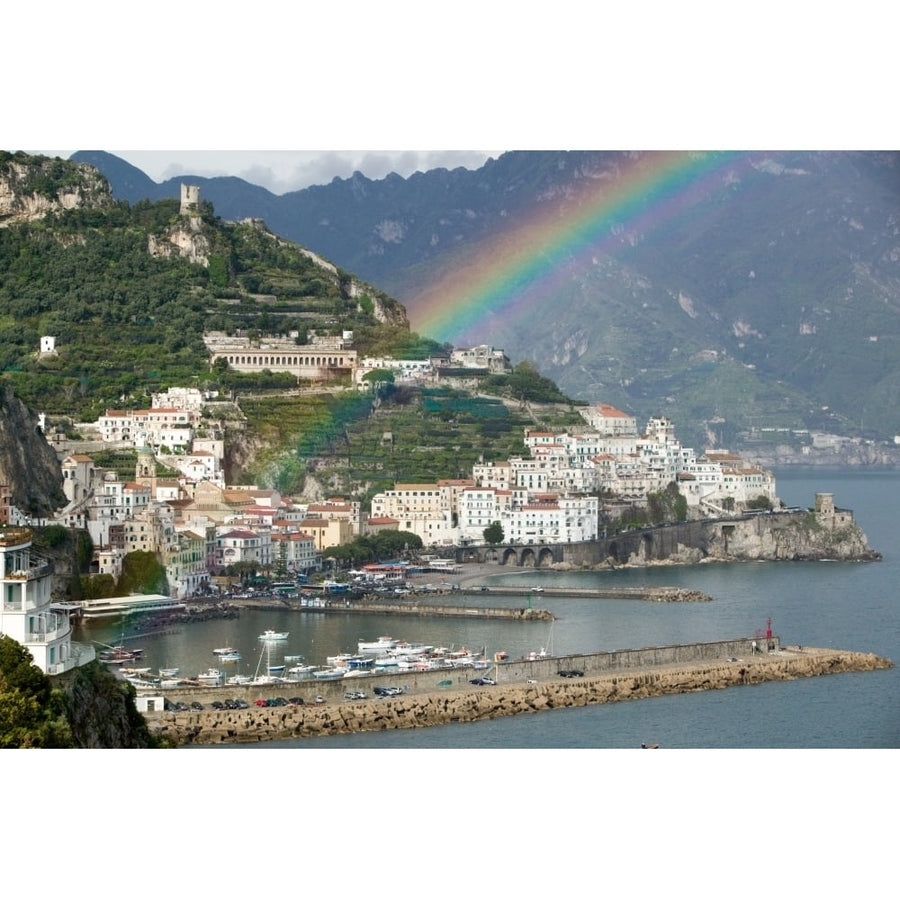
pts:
pixel 523 687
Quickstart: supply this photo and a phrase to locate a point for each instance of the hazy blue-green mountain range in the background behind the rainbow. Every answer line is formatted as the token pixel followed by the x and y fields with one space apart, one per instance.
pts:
pixel 758 297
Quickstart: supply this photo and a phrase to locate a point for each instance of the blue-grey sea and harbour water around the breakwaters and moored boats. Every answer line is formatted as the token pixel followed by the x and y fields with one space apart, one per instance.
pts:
pixel 820 603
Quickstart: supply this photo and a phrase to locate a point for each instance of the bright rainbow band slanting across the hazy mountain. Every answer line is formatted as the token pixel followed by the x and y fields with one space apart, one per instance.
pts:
pixel 522 266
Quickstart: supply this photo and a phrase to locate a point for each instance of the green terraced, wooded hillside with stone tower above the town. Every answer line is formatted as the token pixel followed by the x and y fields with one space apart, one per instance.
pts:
pixel 128 322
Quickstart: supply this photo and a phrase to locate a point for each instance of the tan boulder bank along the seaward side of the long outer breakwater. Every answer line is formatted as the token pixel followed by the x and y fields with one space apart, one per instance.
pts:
pixel 470 704
